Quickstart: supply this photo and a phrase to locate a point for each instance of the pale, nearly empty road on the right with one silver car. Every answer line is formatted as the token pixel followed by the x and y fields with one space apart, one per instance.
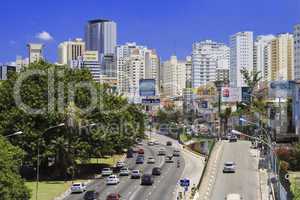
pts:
pixel 245 181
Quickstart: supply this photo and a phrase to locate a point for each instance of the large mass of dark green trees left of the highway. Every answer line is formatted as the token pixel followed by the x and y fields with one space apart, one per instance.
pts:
pixel 62 95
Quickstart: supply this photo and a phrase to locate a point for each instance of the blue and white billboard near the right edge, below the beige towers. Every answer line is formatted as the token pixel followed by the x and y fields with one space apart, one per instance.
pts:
pixel 281 89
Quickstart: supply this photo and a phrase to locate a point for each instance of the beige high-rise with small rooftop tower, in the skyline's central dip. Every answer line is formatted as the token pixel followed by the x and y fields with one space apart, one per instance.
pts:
pixel 173 77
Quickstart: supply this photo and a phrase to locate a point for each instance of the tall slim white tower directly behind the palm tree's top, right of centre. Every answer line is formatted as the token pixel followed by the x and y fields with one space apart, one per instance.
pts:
pixel 241 56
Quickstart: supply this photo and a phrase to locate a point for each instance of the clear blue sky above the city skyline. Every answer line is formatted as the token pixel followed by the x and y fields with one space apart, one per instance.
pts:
pixel 170 26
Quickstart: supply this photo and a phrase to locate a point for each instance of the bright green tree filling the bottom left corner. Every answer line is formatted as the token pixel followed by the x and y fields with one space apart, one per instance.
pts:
pixel 12 186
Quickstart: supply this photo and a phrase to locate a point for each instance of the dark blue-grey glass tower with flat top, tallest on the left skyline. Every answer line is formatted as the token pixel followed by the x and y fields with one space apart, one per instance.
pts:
pixel 101 36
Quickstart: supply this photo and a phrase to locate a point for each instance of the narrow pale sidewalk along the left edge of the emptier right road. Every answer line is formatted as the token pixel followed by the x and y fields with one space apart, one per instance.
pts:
pixel 210 173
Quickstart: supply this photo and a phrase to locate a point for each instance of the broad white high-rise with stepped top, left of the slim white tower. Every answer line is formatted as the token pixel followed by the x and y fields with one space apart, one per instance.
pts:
pixel 210 61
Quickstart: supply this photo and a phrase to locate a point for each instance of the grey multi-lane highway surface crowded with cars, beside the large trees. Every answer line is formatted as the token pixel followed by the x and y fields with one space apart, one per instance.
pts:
pixel 164 187
